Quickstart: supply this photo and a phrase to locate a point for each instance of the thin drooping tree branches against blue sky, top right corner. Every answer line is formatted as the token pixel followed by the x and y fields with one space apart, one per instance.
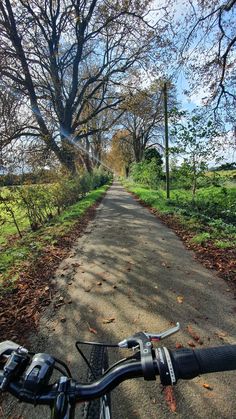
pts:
pixel 208 52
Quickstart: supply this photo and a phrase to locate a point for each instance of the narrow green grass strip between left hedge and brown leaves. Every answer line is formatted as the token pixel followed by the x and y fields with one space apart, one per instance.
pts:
pixel 29 247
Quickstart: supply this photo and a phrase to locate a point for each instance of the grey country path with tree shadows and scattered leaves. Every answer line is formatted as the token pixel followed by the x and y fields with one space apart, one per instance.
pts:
pixel 131 267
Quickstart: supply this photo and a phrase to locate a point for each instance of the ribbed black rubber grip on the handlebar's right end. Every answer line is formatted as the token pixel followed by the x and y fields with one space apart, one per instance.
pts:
pixel 188 363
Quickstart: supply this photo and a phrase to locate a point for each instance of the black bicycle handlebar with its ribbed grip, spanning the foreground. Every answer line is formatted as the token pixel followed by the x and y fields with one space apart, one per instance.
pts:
pixel 170 365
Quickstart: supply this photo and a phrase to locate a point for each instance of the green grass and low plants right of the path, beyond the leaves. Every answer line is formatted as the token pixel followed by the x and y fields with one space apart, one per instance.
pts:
pixel 210 216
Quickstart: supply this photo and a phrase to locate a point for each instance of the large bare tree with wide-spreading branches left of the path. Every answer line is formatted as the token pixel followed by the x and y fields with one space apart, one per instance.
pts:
pixel 60 55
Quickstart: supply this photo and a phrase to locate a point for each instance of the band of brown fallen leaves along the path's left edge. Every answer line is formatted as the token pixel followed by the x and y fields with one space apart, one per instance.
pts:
pixel 34 288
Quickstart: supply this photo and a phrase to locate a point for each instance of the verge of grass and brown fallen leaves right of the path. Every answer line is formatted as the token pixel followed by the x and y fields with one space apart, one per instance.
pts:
pixel 209 237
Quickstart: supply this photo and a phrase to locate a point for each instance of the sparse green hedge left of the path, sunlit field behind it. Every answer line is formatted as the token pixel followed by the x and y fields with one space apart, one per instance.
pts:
pixel 35 205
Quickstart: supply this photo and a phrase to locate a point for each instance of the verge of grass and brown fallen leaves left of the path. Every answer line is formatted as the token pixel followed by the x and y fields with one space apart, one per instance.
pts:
pixel 27 287
